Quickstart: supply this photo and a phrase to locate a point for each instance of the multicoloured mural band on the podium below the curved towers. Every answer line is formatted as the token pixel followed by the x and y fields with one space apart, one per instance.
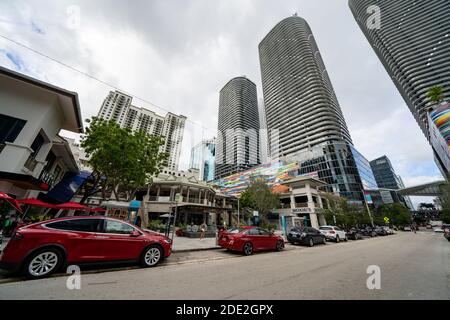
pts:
pixel 273 173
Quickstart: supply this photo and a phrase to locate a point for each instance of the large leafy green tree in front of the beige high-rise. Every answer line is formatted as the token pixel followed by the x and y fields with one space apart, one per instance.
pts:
pixel 124 160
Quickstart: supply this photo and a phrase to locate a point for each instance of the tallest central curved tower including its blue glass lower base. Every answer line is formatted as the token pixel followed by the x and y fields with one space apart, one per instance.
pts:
pixel 304 120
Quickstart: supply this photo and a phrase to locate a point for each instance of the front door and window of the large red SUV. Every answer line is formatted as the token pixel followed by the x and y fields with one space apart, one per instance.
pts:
pixel 119 240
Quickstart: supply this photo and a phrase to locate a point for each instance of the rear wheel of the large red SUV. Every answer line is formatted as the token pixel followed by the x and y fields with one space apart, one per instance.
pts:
pixel 43 263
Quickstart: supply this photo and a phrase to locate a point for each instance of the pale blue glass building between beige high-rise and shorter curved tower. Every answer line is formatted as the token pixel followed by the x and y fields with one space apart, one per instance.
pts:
pixel 202 159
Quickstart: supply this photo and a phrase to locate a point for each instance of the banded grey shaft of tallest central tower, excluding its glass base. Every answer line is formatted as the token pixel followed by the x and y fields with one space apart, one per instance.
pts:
pixel 299 99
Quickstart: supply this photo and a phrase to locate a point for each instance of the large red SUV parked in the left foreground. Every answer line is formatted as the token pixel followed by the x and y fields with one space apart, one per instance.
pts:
pixel 42 248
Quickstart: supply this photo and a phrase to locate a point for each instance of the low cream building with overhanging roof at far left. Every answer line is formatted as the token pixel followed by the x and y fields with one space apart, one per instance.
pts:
pixel 33 157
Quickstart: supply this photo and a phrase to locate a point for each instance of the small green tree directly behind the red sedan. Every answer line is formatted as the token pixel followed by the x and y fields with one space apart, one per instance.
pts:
pixel 259 197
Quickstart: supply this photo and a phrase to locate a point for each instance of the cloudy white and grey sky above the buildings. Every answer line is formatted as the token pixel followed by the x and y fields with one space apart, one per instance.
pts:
pixel 176 55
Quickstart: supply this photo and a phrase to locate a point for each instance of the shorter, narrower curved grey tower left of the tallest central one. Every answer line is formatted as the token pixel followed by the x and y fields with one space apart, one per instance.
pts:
pixel 238 128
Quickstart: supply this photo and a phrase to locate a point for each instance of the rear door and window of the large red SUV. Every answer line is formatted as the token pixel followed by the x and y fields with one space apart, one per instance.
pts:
pixel 79 237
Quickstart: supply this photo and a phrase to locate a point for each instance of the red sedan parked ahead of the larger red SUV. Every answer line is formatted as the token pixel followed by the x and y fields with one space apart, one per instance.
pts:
pixel 250 239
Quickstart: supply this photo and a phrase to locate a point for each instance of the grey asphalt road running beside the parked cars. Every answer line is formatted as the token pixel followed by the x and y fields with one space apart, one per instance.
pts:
pixel 413 266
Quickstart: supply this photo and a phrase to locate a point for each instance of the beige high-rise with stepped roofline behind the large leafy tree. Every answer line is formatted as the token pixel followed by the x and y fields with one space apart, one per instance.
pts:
pixel 117 107
